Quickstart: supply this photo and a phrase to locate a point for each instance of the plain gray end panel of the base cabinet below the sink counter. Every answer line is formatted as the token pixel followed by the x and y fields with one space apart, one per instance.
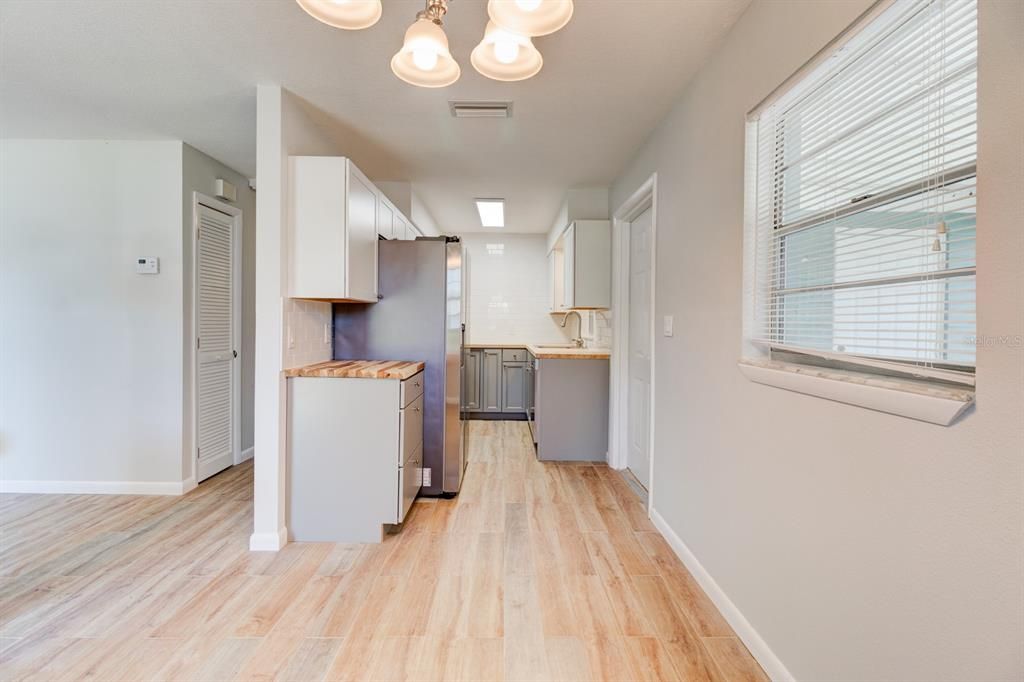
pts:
pixel 572 410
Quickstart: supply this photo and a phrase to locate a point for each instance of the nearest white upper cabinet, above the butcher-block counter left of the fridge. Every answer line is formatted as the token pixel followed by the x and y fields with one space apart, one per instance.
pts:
pixel 332 229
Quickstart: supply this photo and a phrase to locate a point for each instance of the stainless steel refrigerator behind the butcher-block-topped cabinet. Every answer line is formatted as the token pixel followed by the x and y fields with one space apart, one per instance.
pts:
pixel 420 317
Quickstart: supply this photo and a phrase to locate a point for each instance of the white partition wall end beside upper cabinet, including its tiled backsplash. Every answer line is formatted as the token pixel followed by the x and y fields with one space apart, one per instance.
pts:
pixel 283 129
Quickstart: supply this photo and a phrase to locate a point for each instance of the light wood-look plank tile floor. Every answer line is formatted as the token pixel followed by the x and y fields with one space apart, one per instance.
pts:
pixel 536 572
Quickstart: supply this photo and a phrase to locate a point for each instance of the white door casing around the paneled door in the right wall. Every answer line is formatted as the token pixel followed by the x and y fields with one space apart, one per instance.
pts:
pixel 645 198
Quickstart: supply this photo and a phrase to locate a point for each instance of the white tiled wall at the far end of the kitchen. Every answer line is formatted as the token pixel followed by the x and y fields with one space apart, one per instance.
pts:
pixel 508 291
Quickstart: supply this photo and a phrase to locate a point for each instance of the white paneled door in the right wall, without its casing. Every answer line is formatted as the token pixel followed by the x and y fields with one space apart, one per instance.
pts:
pixel 638 456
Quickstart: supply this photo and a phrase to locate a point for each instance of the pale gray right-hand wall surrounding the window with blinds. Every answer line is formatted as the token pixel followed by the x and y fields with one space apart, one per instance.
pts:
pixel 861 546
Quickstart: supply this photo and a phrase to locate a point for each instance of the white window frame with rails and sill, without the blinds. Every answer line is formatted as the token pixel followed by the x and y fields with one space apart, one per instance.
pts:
pixel 941 394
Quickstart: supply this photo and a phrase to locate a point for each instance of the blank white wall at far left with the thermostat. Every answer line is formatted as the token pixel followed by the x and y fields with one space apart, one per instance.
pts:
pixel 92 361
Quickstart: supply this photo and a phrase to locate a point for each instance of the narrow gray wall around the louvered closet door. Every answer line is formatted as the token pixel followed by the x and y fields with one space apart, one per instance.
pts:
pixel 199 175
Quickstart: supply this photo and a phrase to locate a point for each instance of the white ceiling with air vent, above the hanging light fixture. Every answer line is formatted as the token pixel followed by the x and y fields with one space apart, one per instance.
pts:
pixel 188 70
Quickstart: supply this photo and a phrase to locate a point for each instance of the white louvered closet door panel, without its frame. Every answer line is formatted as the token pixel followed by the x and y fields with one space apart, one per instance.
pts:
pixel 216 364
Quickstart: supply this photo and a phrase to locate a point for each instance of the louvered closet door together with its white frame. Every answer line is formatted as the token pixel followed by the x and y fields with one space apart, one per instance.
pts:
pixel 218 322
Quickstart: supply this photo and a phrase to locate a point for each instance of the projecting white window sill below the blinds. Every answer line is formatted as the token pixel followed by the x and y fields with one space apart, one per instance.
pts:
pixel 930 404
